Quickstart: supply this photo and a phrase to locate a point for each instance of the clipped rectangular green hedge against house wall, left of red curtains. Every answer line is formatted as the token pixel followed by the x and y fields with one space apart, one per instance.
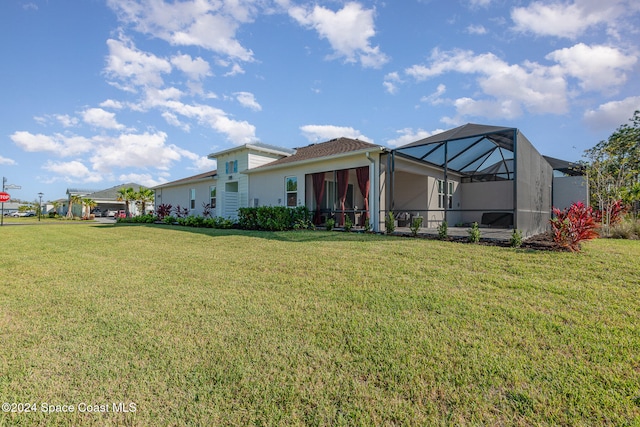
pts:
pixel 273 218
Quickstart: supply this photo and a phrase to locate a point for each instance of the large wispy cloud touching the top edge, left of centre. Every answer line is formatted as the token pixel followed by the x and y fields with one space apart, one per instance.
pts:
pixel 209 25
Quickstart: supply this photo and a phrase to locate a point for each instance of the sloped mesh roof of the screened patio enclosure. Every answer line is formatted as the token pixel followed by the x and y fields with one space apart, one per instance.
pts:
pixel 477 152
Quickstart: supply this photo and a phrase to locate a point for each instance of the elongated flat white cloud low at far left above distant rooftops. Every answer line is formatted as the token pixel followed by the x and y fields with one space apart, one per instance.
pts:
pixel 62 145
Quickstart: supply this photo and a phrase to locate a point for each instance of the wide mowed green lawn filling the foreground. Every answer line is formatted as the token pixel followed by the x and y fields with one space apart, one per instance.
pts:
pixel 216 327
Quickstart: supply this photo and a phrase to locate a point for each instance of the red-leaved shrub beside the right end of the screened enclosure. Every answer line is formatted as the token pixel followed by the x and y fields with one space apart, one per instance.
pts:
pixel 573 226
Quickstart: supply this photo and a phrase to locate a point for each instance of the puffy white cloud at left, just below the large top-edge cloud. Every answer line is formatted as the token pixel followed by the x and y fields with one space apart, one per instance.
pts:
pixel 133 67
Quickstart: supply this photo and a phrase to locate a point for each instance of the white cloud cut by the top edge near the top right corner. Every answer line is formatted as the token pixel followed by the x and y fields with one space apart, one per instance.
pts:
pixel 569 19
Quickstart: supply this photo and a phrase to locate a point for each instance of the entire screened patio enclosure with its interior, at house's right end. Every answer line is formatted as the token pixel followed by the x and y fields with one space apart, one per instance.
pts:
pixel 474 173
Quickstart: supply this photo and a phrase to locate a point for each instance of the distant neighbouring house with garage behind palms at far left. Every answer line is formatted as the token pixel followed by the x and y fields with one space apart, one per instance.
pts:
pixel 105 200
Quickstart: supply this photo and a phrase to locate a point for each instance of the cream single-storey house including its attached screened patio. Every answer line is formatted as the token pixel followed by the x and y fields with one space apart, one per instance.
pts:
pixel 474 173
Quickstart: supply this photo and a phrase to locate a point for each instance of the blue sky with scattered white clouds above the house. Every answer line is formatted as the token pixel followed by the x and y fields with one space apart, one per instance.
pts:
pixel 96 93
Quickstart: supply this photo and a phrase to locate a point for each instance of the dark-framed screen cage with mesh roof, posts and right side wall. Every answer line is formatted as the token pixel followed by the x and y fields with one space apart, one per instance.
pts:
pixel 490 153
